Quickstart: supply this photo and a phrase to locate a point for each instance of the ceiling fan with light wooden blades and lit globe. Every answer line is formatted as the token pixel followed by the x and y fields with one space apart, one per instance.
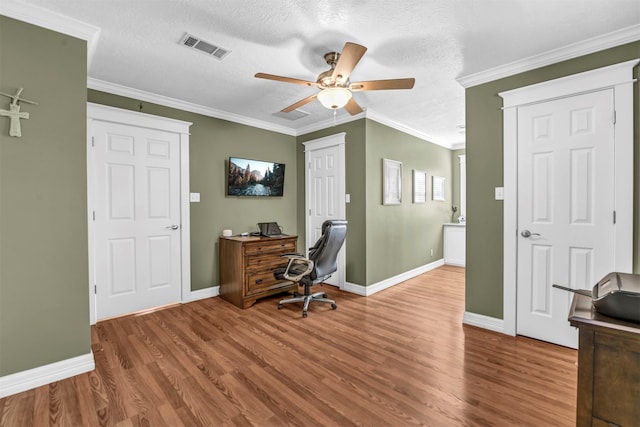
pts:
pixel 334 84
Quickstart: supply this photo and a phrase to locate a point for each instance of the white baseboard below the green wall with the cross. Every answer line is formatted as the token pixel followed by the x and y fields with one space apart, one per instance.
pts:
pixel 43 375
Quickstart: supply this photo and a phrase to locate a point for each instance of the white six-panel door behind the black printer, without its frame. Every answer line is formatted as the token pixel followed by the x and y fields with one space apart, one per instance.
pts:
pixel 565 208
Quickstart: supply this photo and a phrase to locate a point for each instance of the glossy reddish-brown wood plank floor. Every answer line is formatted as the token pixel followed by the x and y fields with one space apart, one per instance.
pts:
pixel 399 357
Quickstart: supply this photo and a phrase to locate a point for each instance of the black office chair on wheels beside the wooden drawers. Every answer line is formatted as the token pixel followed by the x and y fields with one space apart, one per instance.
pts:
pixel 320 265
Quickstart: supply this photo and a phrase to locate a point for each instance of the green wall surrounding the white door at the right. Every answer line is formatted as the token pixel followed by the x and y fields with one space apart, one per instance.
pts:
pixel 484 279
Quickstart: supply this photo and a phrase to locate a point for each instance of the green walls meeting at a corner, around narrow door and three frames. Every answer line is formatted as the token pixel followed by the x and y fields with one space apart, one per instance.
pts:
pixel 384 241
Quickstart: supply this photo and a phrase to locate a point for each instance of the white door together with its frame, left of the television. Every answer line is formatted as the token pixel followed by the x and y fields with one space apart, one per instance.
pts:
pixel 138 218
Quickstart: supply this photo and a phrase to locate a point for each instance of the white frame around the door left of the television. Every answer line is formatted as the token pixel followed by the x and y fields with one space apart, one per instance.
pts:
pixel 103 113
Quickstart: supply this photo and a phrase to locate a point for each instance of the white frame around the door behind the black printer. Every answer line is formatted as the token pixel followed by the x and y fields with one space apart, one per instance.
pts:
pixel 618 77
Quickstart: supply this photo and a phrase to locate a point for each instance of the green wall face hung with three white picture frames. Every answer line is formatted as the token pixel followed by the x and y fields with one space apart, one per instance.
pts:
pixel 400 238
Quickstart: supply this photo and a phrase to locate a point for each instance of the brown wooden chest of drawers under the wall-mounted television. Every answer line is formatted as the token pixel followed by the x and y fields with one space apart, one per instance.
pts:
pixel 247 264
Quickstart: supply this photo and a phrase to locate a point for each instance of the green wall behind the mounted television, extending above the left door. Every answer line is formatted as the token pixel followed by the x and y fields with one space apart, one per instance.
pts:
pixel 211 143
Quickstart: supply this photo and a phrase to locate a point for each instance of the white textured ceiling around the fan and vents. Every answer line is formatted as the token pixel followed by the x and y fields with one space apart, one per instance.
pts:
pixel 435 41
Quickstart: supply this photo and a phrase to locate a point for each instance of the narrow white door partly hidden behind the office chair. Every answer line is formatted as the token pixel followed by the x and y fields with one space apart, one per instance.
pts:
pixel 326 193
